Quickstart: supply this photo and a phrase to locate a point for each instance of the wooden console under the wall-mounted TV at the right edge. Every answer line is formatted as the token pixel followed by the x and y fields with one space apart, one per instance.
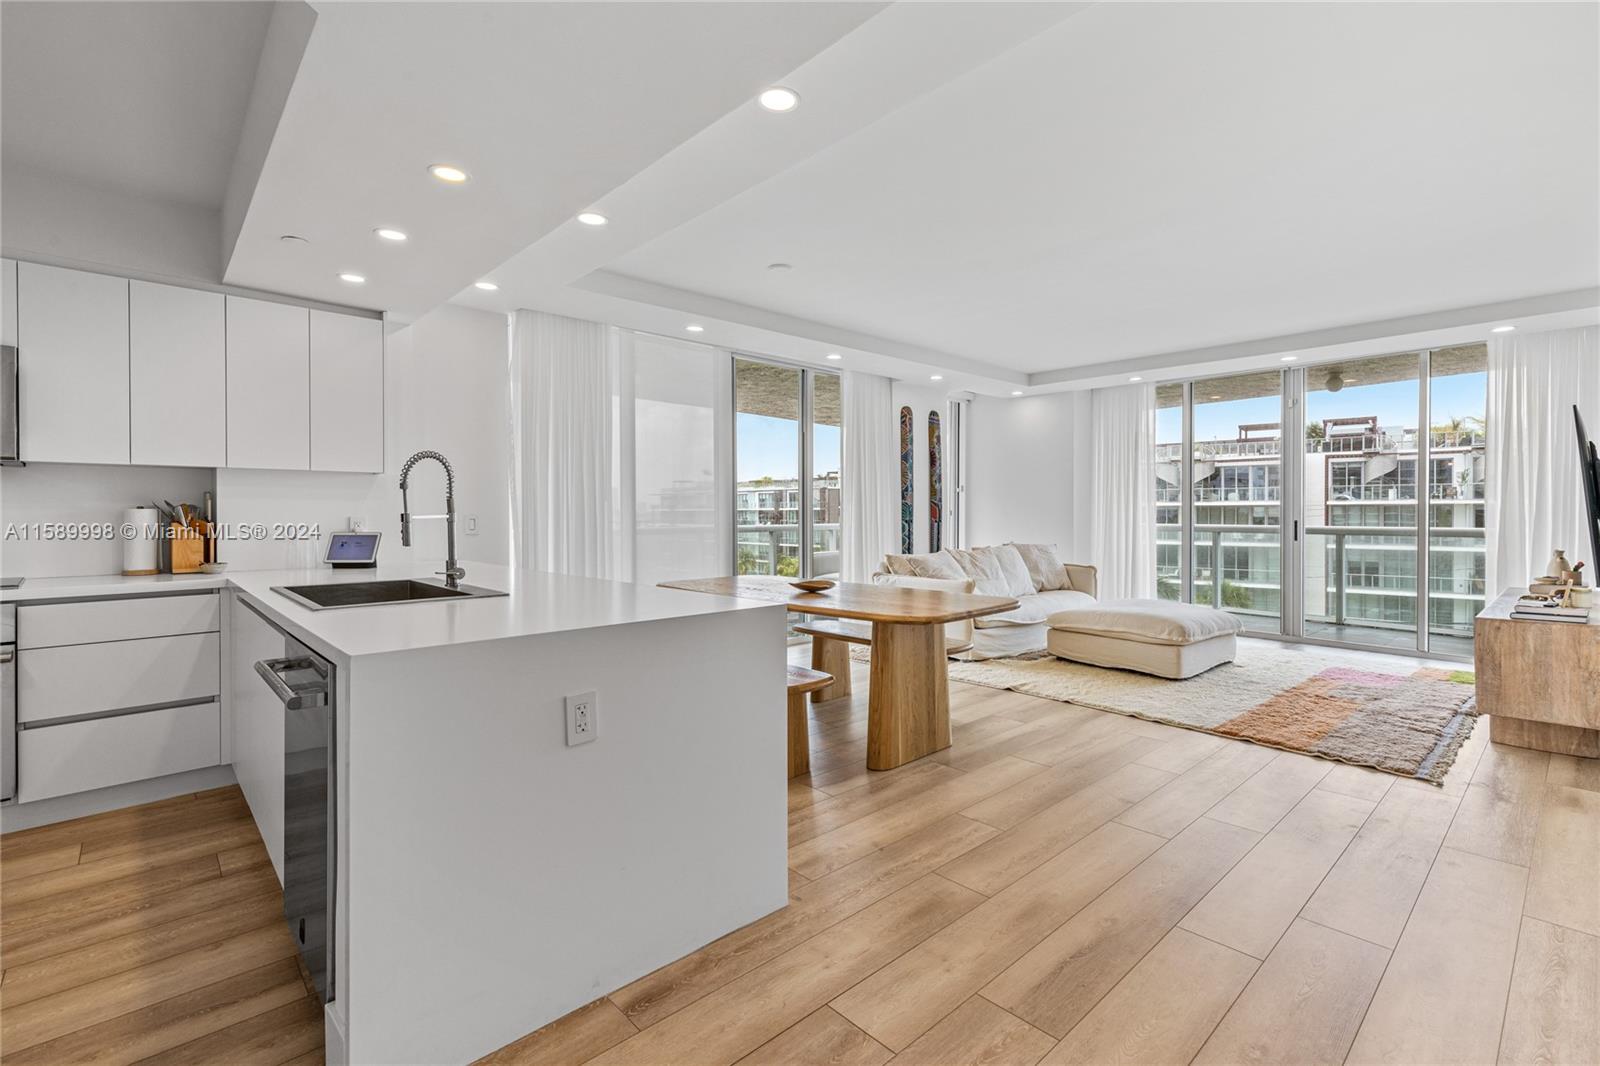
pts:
pixel 1540 679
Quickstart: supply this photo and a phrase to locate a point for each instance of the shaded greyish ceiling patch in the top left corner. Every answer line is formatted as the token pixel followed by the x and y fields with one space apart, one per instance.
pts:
pixel 146 98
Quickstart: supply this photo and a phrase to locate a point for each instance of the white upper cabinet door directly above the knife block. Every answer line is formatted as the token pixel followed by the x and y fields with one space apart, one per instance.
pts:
pixel 178 369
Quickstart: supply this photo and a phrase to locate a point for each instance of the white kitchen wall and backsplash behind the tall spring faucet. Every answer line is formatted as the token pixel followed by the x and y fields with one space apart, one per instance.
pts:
pixel 446 390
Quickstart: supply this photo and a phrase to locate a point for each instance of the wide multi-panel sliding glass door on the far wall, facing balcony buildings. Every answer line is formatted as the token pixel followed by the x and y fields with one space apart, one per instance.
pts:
pixel 1340 503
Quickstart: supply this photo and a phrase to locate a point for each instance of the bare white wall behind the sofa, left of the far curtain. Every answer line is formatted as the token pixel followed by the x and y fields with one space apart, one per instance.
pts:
pixel 1028 473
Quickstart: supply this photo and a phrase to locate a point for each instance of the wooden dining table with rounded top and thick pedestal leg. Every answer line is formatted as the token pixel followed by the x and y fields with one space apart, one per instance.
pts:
pixel 910 691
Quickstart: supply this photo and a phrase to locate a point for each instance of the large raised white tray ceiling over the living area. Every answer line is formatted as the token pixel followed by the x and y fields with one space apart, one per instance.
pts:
pixel 1146 178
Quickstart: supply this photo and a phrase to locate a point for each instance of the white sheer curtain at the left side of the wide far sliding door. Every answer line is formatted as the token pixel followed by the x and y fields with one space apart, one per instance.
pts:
pixel 1124 519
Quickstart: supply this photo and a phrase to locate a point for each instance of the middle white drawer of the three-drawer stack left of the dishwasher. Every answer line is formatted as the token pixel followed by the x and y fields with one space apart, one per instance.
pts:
pixel 92 678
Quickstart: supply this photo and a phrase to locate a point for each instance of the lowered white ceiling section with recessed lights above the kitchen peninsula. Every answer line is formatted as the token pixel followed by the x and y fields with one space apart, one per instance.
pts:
pixel 548 106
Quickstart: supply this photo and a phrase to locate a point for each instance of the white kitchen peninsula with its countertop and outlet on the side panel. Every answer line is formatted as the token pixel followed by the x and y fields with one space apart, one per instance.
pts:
pixel 490 878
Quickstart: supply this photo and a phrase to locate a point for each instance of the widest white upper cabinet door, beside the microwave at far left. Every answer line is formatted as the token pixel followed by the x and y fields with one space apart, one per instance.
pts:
pixel 73 347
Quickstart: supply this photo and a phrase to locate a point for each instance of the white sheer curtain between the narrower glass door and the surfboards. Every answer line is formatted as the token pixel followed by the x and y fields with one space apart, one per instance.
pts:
pixel 871 476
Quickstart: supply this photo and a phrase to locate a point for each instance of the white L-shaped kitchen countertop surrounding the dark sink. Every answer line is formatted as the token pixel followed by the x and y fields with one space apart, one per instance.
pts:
pixel 535 604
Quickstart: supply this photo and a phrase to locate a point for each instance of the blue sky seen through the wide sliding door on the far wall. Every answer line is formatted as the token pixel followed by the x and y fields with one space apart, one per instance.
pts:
pixel 1394 404
